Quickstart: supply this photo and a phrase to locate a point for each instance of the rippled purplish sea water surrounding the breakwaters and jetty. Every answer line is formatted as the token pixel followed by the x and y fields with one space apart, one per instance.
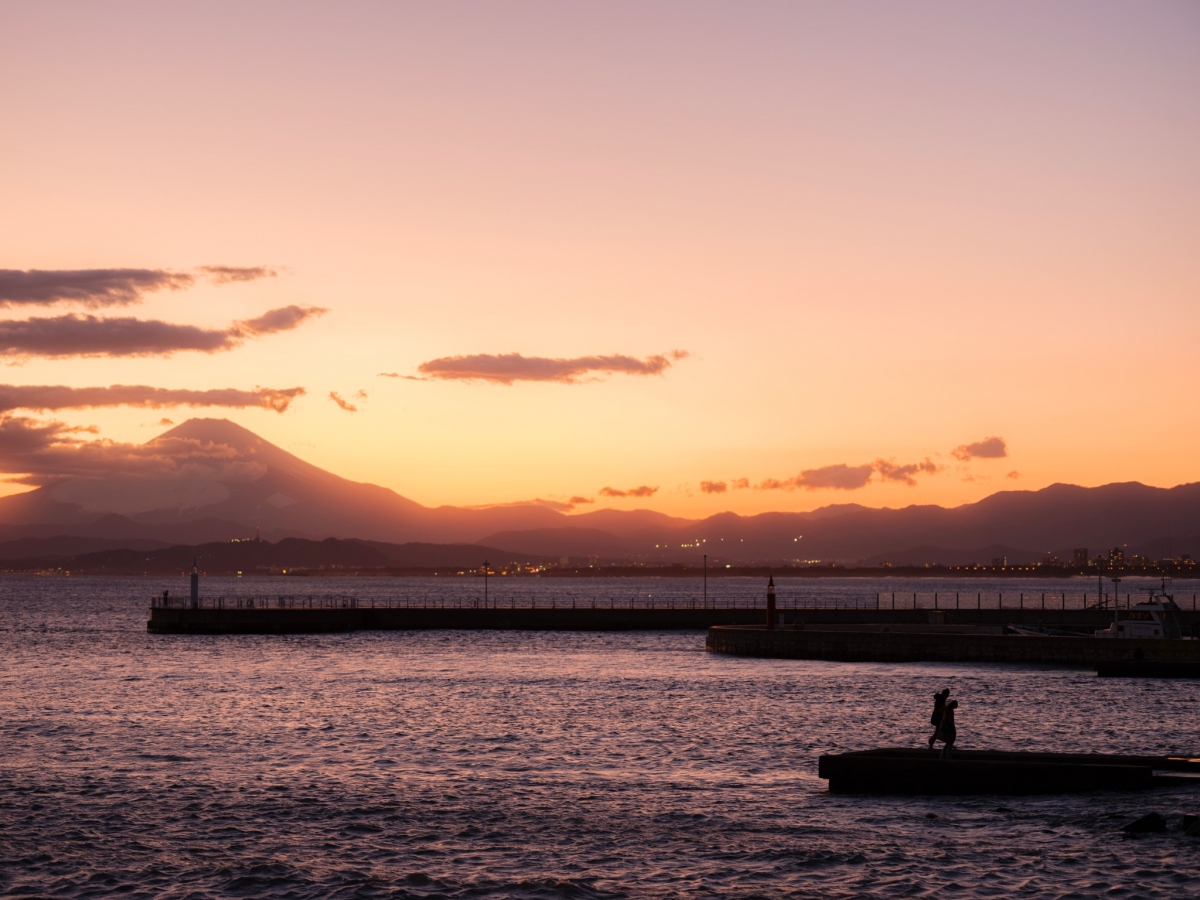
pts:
pixel 466 765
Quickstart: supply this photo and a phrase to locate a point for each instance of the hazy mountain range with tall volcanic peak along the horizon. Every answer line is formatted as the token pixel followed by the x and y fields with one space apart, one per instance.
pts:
pixel 215 482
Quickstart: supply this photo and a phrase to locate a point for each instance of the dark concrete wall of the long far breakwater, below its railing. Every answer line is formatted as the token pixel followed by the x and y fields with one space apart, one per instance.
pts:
pixel 352 616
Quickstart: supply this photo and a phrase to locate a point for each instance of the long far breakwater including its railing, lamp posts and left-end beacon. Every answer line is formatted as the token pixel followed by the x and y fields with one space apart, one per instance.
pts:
pixel 951 614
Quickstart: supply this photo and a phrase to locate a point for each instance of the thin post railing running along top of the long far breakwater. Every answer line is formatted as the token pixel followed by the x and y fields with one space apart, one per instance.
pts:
pixel 897 601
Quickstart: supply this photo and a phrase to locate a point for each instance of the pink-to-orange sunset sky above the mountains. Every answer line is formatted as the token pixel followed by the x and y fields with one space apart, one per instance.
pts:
pixel 753 255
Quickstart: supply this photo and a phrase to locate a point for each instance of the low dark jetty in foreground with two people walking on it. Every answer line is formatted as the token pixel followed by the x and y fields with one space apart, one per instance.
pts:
pixel 989 772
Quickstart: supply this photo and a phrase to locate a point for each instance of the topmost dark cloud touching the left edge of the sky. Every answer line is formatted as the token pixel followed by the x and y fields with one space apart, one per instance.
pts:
pixel 89 287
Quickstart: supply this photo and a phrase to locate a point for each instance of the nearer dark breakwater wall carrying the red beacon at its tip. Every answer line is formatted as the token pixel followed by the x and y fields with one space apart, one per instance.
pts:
pixel 883 646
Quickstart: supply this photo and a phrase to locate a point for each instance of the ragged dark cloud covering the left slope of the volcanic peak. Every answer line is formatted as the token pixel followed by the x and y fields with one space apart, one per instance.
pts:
pixel 41 452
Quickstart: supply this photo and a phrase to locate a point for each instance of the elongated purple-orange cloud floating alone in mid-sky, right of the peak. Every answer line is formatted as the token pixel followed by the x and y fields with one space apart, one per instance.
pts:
pixel 509 368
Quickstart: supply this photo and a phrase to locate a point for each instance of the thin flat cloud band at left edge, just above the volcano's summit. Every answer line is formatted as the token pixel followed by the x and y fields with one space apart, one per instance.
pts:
pixel 43 398
